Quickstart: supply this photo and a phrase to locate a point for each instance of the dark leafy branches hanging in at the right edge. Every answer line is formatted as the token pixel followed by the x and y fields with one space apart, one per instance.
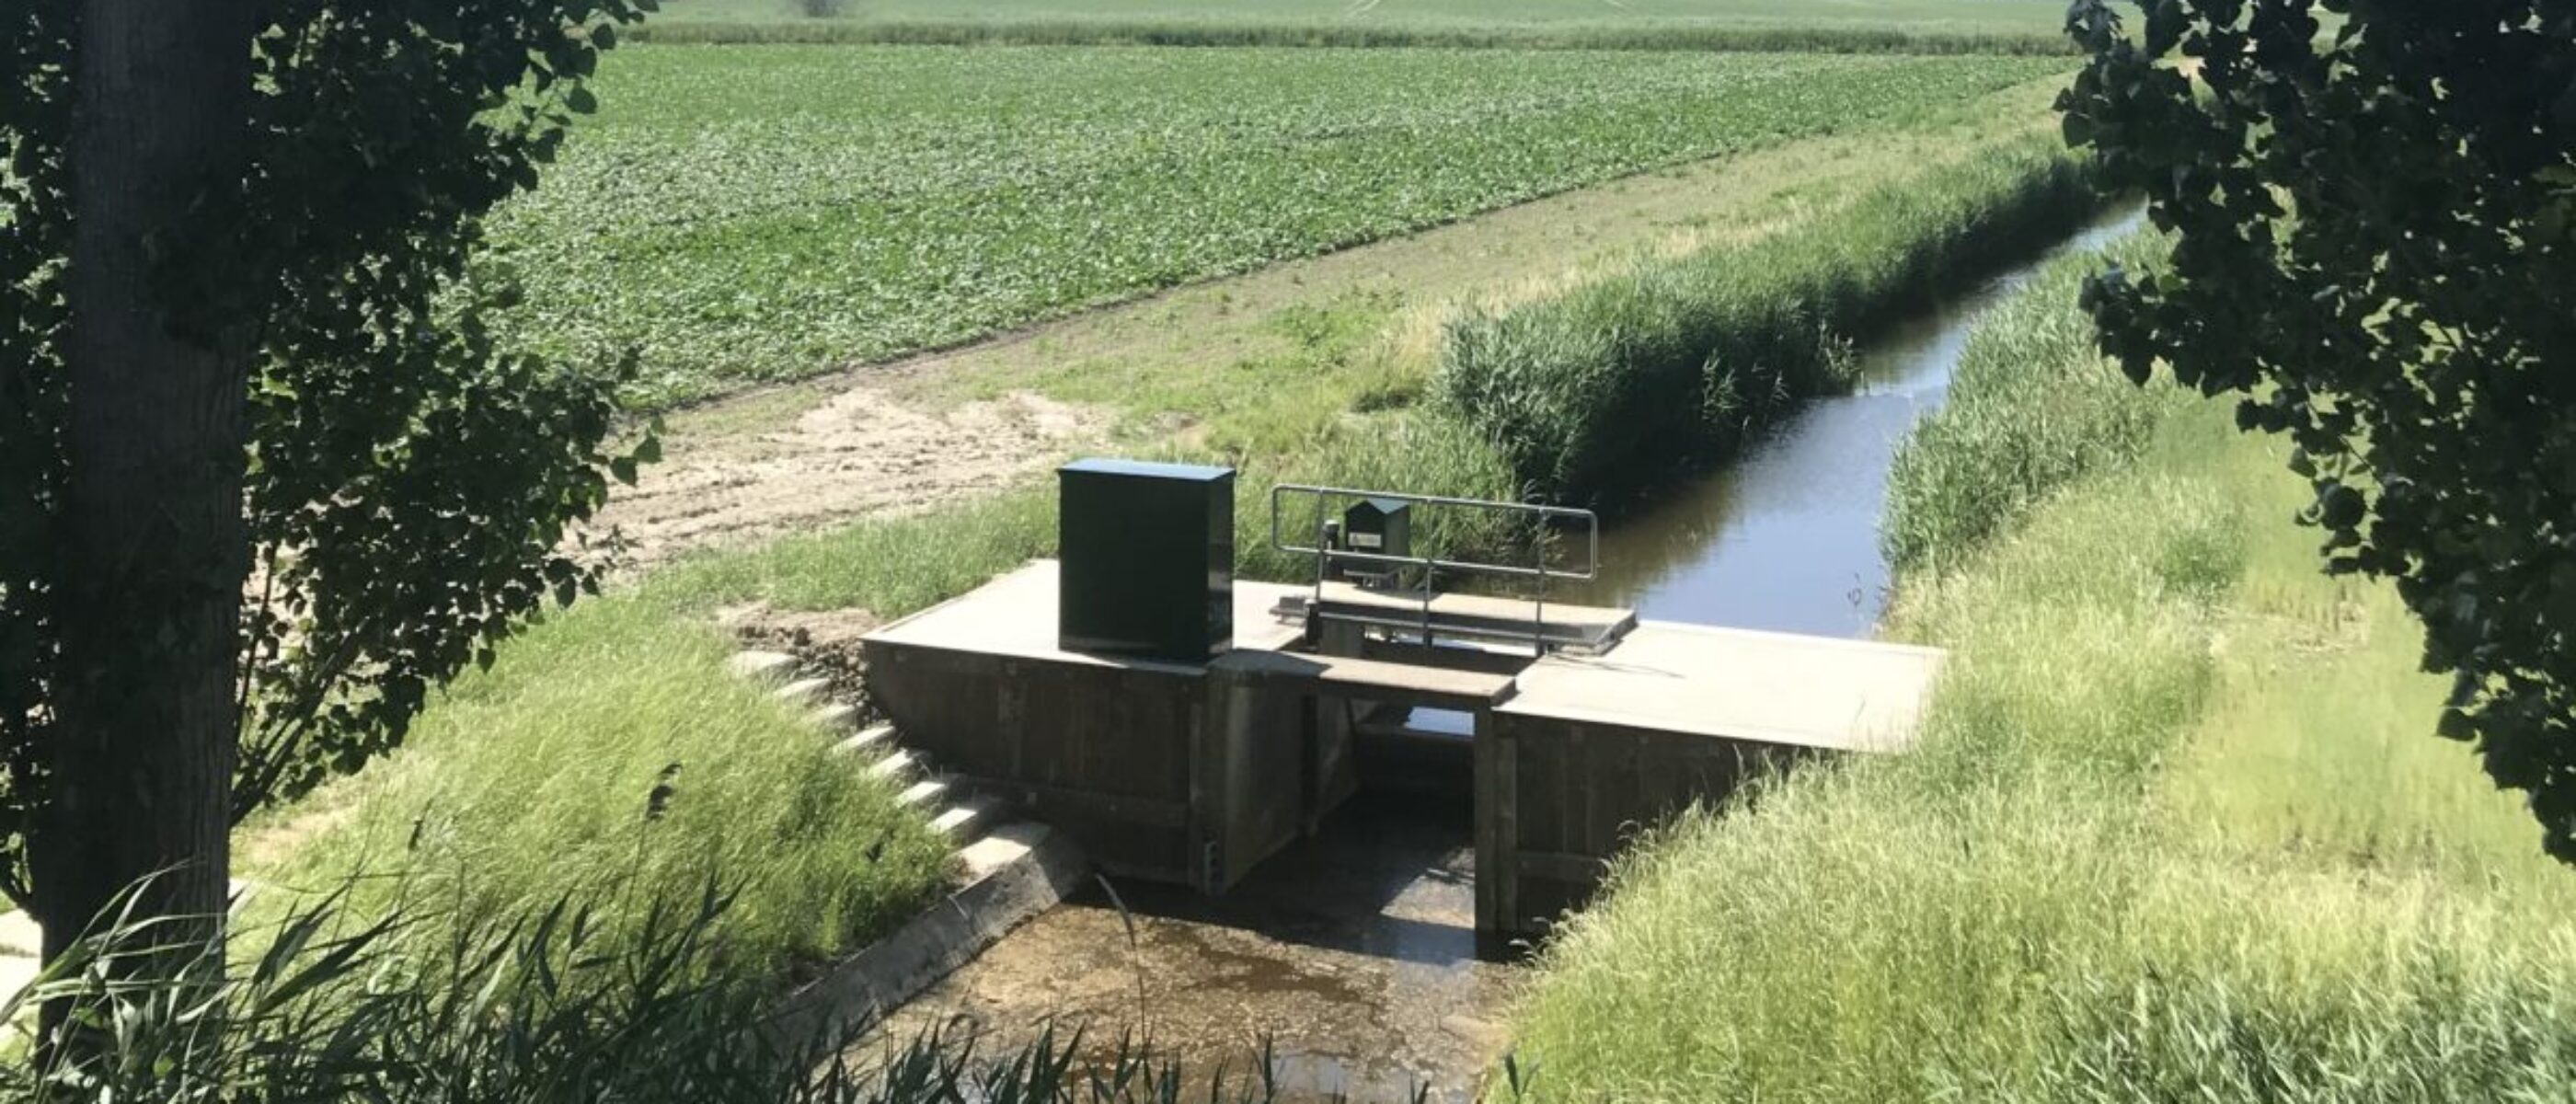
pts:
pixel 2376 248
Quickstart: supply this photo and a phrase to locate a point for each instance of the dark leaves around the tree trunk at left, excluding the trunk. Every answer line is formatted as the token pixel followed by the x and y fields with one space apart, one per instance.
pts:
pixel 411 483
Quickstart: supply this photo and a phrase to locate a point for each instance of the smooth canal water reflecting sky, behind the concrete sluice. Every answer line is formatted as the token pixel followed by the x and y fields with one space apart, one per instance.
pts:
pixel 1786 539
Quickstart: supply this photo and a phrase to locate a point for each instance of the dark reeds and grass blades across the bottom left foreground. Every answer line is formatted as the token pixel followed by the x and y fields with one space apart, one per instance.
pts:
pixel 514 1007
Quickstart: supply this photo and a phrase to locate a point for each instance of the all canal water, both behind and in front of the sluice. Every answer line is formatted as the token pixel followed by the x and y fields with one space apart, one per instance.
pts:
pixel 1351 956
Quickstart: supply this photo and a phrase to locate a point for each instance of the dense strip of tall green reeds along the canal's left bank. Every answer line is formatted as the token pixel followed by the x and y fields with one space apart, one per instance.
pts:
pixel 1691 354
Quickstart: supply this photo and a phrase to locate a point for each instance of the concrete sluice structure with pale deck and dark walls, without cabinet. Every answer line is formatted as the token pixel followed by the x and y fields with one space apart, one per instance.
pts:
pixel 1197 773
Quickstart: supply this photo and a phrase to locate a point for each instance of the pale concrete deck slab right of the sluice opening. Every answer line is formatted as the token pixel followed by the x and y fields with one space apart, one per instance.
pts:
pixel 1732 683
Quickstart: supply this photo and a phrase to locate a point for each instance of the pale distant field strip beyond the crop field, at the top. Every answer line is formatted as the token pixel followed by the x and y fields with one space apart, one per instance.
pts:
pixel 1895 27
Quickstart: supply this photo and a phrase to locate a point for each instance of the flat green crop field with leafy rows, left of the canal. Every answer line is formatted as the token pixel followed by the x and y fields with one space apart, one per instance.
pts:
pixel 761 215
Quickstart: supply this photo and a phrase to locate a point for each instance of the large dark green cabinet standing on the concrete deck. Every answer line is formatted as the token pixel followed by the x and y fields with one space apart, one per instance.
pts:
pixel 1148 560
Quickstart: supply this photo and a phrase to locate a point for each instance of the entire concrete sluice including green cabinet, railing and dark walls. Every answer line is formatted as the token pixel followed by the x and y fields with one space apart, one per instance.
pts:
pixel 1184 724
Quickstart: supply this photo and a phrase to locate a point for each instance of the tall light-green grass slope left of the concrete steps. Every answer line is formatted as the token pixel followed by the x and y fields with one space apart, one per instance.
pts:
pixel 532 784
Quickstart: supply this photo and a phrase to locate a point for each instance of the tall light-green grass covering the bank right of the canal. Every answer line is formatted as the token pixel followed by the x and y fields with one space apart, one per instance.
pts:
pixel 2178 827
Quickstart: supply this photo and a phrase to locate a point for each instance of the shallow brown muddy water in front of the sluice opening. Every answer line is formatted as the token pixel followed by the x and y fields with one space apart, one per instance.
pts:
pixel 1354 956
